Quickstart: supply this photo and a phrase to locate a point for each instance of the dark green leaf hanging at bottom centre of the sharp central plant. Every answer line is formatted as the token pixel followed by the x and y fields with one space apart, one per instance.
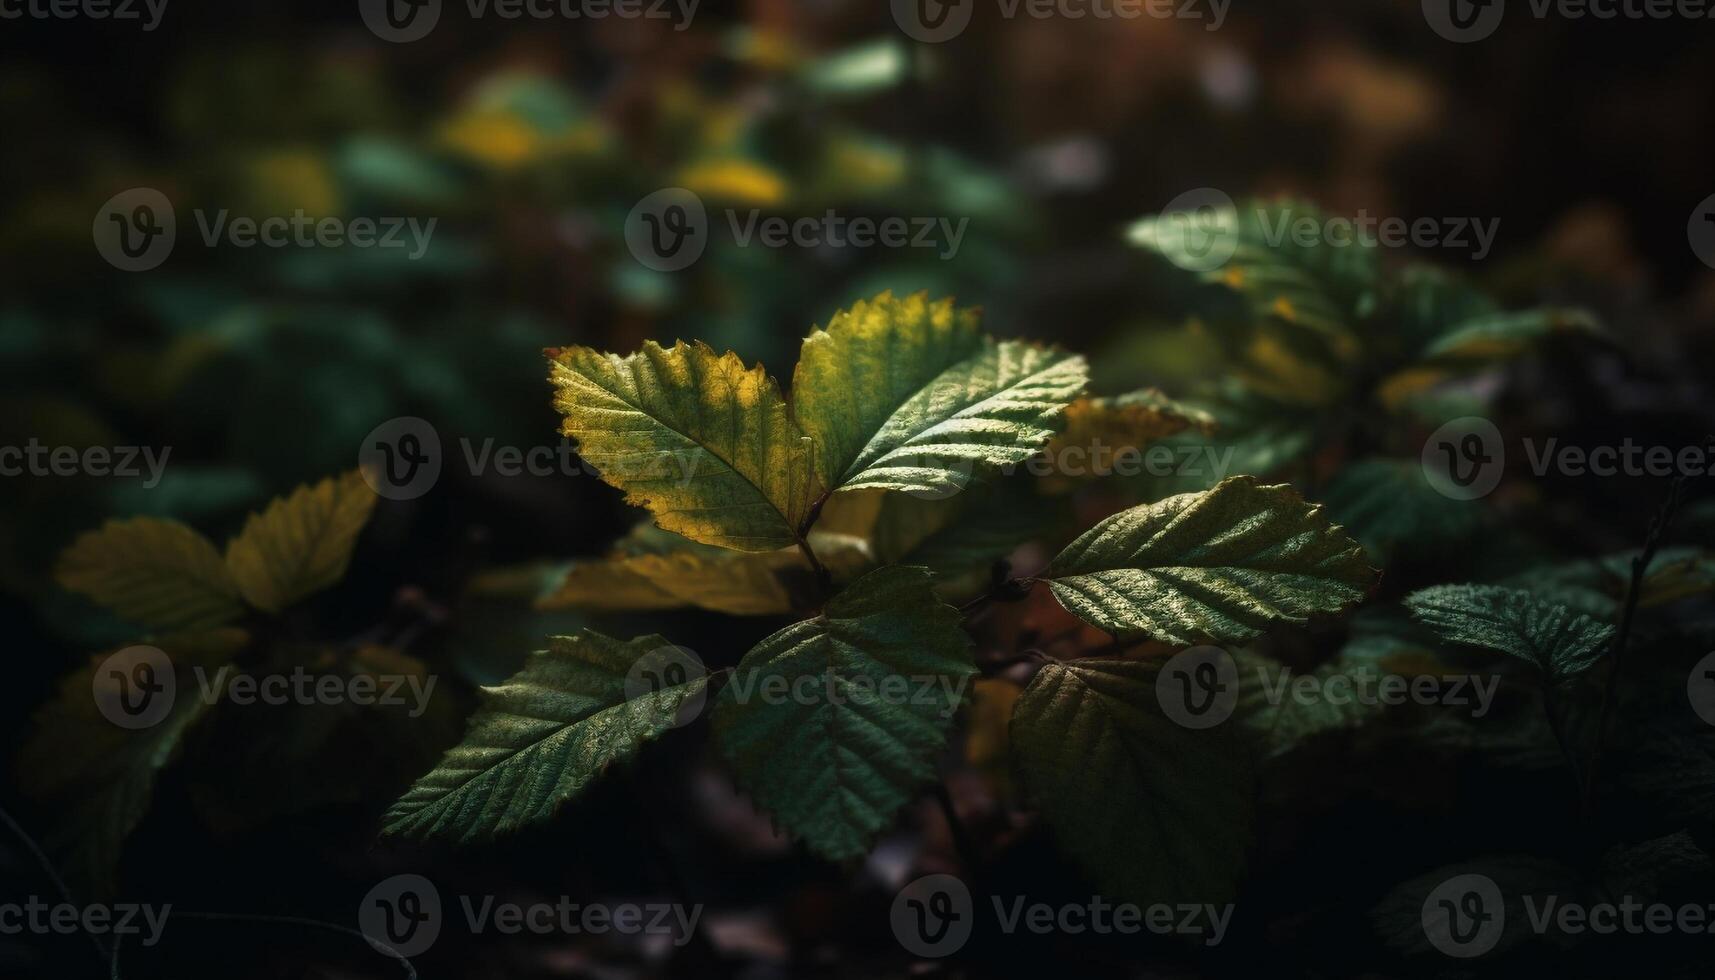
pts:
pixel 839 759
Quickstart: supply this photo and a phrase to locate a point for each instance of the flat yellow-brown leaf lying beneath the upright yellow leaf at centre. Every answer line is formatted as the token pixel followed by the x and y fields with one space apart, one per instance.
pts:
pixel 661 571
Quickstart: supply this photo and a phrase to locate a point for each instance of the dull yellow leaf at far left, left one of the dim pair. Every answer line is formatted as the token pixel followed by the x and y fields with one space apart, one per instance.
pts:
pixel 152 572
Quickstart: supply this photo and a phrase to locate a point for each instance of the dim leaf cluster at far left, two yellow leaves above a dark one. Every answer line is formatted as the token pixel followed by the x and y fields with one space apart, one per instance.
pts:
pixel 210 614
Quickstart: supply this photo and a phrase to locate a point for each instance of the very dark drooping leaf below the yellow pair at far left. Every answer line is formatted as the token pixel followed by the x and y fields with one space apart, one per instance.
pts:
pixel 93 775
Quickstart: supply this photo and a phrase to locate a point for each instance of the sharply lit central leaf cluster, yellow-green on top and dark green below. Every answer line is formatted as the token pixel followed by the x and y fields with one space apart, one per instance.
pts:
pixel 910 401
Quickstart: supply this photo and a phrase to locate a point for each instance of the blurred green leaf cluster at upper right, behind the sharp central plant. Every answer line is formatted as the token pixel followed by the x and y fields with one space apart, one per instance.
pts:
pixel 1315 348
